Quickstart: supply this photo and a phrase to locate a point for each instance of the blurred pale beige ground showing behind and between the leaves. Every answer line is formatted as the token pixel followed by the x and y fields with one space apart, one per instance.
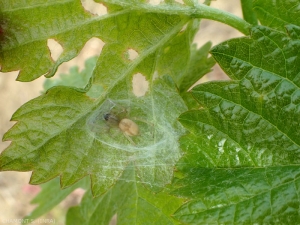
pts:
pixel 15 192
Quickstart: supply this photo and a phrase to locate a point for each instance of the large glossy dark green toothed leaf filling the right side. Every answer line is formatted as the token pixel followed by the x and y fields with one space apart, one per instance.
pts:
pixel 242 154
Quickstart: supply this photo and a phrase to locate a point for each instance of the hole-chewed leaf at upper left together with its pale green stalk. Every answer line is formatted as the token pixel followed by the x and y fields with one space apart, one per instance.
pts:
pixel 25 37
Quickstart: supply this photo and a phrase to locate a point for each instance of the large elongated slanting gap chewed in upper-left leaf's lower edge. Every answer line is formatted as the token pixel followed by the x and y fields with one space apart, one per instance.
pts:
pixel 91 48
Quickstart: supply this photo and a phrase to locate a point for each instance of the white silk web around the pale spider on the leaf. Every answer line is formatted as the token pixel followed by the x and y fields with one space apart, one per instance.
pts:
pixel 153 152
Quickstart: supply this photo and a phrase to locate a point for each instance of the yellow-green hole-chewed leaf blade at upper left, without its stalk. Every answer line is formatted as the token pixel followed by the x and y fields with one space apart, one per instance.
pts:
pixel 71 26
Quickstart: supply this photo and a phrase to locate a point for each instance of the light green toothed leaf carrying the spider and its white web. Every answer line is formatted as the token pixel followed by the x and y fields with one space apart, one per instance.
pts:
pixel 64 133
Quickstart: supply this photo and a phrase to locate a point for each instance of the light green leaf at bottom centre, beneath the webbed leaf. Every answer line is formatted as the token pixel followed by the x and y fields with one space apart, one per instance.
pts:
pixel 132 203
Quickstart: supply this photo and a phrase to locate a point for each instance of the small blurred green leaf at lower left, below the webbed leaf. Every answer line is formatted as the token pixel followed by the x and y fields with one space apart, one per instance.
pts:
pixel 51 195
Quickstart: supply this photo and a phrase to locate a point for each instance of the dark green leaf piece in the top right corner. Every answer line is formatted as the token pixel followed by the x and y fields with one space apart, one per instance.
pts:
pixel 277 14
